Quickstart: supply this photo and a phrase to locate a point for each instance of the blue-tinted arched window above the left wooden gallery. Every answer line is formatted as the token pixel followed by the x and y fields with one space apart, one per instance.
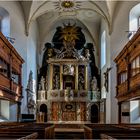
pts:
pixel 4 22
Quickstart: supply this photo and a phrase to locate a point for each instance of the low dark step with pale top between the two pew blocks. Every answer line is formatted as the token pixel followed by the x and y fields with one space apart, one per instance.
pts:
pixel 69 133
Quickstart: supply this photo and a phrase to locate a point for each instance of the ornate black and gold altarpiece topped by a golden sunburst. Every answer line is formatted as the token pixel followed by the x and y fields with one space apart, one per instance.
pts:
pixel 67 92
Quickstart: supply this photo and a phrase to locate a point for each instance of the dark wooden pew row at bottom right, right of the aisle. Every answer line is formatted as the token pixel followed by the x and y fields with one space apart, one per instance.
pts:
pixel 109 131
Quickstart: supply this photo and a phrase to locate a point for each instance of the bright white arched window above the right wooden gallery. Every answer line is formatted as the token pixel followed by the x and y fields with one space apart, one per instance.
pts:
pixel 134 20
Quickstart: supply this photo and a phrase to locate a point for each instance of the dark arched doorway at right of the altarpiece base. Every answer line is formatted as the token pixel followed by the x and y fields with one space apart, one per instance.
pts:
pixel 94 113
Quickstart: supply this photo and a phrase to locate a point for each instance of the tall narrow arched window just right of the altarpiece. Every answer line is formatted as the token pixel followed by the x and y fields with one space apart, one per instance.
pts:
pixel 103 49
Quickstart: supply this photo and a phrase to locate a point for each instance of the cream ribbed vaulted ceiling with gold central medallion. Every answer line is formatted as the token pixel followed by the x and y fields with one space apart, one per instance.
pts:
pixel 89 11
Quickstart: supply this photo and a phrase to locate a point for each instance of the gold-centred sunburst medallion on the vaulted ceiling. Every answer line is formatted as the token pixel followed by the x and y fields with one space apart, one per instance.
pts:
pixel 67 5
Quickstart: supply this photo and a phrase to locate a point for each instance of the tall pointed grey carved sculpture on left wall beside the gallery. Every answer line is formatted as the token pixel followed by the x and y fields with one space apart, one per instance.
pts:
pixel 30 95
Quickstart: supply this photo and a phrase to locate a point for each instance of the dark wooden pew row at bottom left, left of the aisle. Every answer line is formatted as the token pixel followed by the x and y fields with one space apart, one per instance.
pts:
pixel 36 130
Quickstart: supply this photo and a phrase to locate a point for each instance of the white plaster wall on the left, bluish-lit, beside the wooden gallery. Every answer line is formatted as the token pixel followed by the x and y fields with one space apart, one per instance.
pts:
pixel 25 45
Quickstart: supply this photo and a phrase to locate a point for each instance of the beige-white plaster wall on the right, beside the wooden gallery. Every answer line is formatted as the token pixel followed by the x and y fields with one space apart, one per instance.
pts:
pixel 118 39
